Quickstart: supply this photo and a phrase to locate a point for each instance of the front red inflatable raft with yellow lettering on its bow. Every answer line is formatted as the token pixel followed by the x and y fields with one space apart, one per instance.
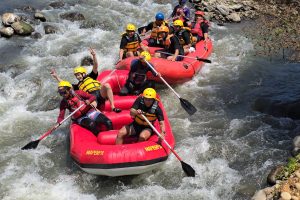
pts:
pixel 101 156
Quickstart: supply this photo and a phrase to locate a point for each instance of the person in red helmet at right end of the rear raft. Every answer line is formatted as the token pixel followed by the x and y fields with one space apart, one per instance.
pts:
pixel 200 26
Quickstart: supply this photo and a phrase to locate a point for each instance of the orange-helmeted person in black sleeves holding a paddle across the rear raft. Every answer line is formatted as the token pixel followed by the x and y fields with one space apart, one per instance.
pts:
pixel 171 45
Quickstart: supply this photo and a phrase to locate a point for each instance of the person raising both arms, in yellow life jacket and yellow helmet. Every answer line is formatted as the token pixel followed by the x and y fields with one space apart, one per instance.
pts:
pixel 88 83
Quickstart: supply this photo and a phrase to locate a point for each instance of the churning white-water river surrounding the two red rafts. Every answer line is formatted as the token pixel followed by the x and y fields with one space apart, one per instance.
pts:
pixel 231 146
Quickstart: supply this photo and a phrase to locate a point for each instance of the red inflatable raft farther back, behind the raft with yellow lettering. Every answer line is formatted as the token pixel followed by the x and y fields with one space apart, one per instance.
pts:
pixel 178 71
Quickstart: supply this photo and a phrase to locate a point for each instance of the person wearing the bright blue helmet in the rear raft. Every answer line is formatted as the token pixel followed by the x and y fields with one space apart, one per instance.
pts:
pixel 154 26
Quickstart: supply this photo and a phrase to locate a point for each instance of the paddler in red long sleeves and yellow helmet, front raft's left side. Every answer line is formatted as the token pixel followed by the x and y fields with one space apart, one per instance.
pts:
pixel 87 116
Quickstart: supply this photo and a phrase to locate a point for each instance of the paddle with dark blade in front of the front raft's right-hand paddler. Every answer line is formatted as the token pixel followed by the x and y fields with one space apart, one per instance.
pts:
pixel 189 171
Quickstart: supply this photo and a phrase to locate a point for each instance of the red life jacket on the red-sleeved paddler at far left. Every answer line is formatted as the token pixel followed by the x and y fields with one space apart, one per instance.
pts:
pixel 74 103
